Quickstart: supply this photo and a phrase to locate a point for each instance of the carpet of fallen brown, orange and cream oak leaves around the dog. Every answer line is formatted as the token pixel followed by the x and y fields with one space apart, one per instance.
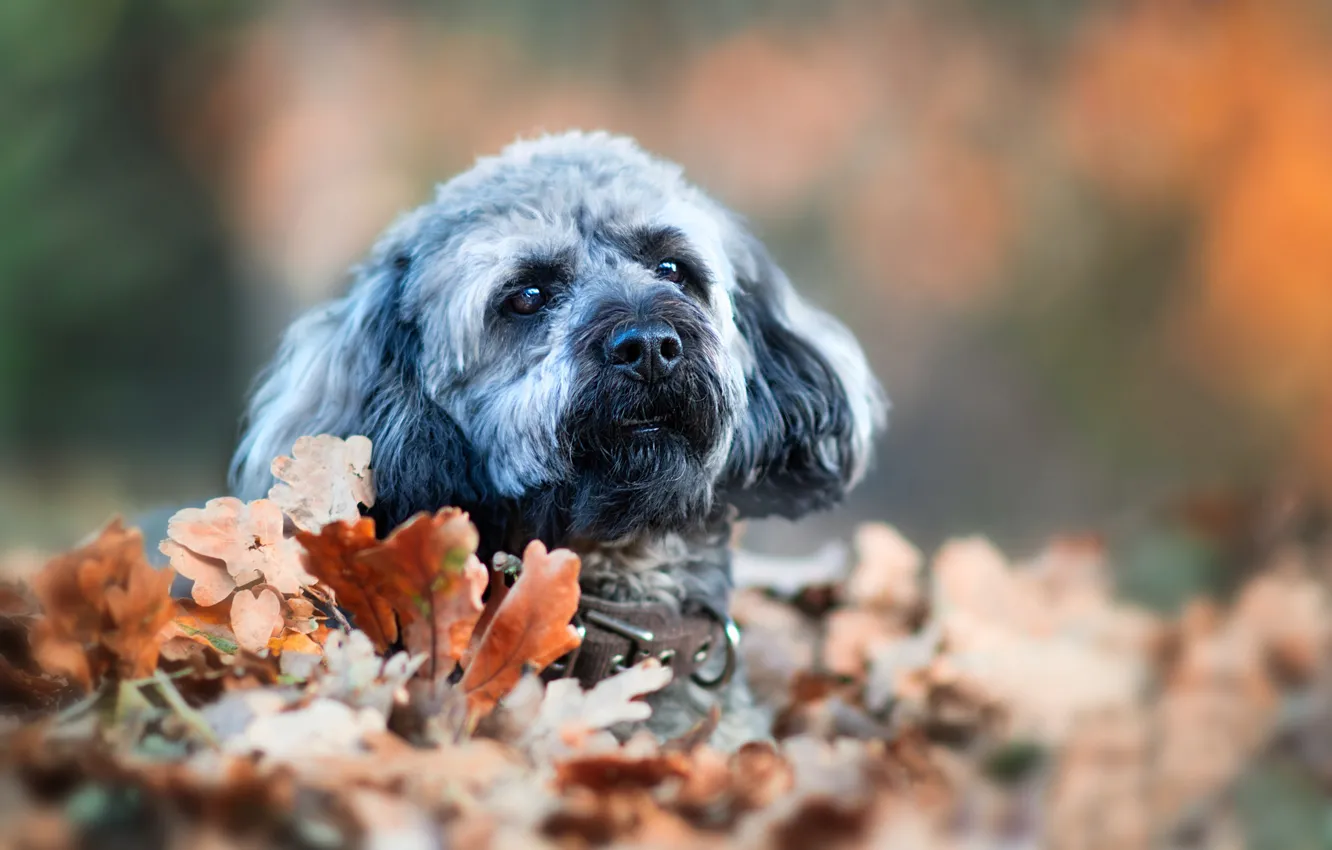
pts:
pixel 966 704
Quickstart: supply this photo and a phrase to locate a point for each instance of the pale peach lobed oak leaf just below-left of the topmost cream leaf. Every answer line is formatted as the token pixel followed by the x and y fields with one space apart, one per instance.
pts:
pixel 244 538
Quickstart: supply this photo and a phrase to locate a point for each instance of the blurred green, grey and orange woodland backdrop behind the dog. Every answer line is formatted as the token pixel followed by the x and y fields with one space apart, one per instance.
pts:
pixel 1088 246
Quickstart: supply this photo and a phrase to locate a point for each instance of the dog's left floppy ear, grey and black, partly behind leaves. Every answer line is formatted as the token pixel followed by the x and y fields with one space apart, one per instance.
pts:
pixel 354 367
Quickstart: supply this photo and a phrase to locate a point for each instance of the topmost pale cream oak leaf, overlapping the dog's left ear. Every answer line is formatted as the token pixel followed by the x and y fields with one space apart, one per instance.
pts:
pixel 324 482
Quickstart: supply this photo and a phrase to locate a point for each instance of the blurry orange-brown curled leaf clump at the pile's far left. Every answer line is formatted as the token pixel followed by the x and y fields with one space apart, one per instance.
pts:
pixel 105 610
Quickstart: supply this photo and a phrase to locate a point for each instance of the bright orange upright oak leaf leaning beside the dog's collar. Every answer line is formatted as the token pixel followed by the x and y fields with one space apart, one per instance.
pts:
pixel 529 628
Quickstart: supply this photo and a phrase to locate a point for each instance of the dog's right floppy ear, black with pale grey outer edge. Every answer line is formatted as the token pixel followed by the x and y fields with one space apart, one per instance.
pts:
pixel 815 407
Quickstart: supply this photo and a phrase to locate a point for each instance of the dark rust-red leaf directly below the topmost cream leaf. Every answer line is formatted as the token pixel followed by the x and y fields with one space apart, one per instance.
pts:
pixel 334 558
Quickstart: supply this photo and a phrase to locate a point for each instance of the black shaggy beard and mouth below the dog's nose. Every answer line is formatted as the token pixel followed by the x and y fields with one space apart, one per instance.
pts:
pixel 643 458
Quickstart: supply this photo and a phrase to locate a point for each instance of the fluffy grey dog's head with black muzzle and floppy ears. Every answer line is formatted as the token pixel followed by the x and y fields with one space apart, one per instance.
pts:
pixel 573 343
